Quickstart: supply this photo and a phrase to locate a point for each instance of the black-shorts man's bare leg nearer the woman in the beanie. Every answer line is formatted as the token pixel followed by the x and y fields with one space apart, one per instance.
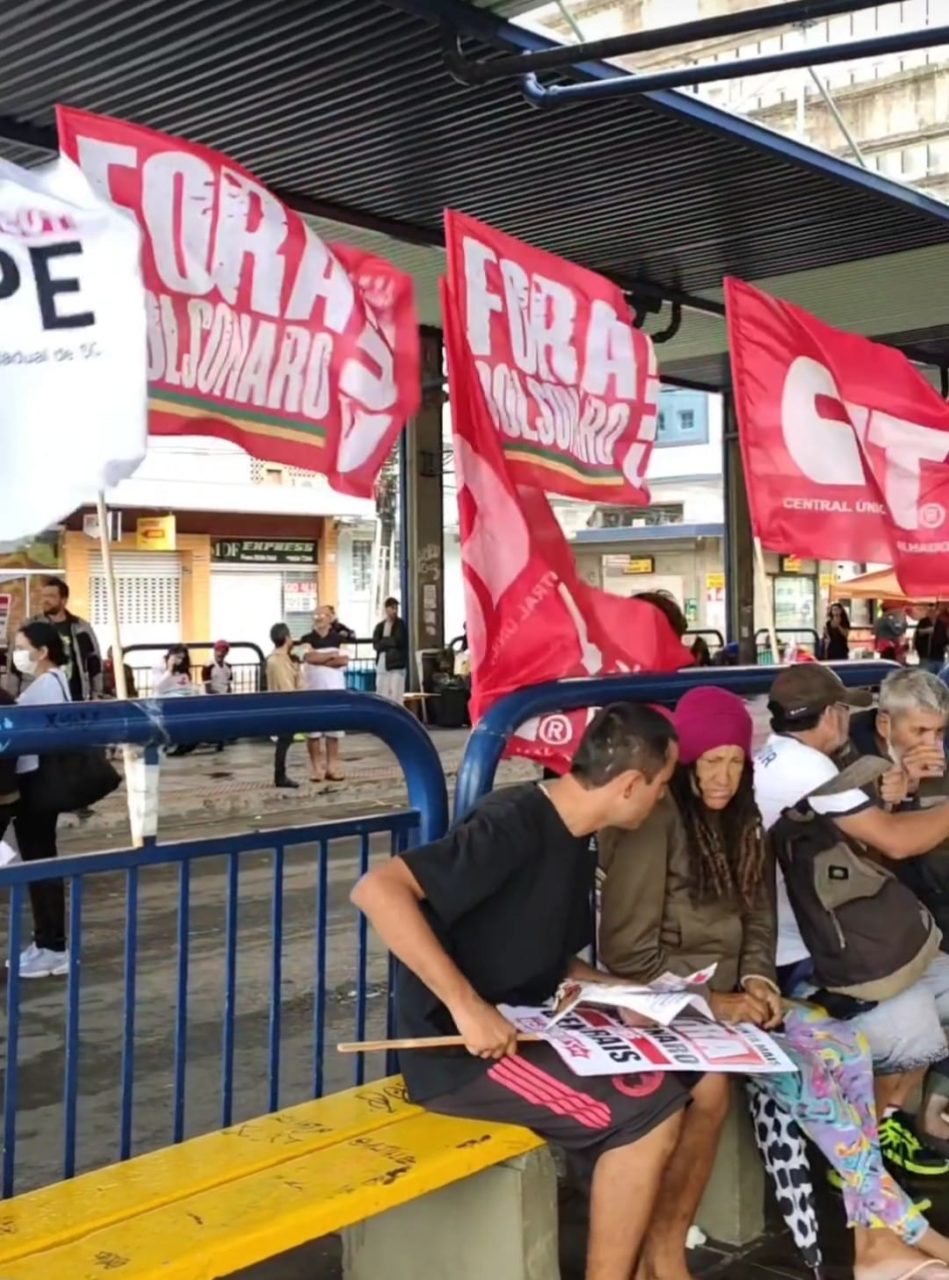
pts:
pixel 685 1182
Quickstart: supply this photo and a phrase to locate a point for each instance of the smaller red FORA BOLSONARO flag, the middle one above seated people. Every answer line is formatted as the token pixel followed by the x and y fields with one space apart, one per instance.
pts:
pixel 558 368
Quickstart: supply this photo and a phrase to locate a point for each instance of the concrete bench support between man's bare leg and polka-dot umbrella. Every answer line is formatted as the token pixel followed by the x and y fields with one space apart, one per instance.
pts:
pixel 733 1208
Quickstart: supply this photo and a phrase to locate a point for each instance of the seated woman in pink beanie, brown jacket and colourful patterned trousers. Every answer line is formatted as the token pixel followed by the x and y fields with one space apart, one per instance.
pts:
pixel 696 886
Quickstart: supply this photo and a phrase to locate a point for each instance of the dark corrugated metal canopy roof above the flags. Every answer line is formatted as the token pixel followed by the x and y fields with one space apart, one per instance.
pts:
pixel 346 108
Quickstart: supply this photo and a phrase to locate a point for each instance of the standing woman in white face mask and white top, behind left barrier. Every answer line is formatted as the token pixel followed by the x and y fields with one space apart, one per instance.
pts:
pixel 39 653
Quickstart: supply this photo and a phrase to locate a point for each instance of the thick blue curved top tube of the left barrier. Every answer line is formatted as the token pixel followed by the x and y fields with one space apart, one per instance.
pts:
pixel 168 721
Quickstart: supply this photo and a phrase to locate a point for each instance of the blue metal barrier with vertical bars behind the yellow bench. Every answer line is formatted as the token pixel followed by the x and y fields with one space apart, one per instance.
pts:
pixel 209 980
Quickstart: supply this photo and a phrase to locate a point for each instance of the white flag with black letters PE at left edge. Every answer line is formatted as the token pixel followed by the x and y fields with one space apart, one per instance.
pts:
pixel 74 381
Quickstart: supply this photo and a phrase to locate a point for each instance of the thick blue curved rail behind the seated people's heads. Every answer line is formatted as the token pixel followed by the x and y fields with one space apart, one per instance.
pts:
pixel 489 740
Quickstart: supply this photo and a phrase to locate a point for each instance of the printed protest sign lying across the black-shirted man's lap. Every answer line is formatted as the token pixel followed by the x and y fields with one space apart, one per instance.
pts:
pixel 594 1043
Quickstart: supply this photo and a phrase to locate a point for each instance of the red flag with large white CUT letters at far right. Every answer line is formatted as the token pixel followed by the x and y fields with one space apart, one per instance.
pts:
pixel 845 444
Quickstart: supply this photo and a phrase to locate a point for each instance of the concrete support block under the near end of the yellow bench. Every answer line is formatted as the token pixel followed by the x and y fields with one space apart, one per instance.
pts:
pixel 499 1226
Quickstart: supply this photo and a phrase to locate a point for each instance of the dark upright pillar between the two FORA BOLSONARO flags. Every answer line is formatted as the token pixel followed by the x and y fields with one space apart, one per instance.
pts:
pixel 425 610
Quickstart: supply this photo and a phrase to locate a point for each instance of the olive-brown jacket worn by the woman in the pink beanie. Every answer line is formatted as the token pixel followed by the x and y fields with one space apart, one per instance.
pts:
pixel 650 924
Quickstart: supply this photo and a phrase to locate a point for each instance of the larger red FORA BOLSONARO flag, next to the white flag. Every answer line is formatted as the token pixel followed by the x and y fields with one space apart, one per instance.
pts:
pixel 259 332
